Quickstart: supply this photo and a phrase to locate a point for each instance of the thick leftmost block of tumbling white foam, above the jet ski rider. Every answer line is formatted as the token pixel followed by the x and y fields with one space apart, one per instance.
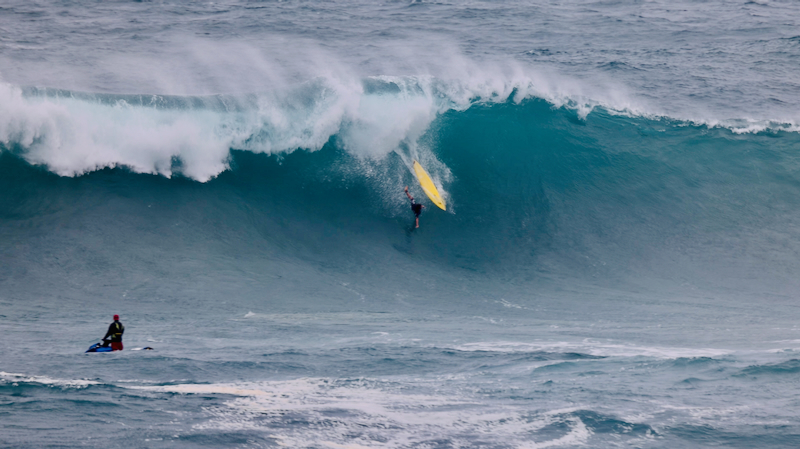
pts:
pixel 72 136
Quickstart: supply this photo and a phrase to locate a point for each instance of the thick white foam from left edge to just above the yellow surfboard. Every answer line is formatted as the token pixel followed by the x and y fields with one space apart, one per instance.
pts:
pixel 73 136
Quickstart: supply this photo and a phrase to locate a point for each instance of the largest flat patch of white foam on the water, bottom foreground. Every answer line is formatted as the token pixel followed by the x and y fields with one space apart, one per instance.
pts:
pixel 371 413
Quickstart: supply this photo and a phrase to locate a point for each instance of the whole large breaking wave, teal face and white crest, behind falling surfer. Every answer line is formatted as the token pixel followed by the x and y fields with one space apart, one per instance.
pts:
pixel 534 190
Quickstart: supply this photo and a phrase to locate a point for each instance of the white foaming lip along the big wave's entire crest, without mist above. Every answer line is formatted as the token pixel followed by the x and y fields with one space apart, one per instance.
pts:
pixel 73 133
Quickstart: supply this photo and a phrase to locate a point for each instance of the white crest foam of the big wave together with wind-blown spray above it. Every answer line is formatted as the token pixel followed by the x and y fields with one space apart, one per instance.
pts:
pixel 302 106
